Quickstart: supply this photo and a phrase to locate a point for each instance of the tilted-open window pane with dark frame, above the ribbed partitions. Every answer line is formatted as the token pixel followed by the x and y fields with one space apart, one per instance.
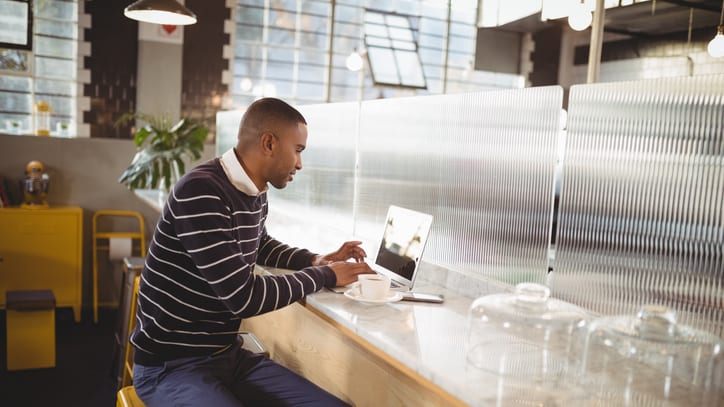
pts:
pixel 392 51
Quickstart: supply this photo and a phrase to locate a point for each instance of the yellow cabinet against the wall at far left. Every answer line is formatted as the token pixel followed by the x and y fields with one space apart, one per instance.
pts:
pixel 43 249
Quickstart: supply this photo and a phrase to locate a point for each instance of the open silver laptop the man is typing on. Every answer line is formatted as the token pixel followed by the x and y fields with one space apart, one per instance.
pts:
pixel 399 254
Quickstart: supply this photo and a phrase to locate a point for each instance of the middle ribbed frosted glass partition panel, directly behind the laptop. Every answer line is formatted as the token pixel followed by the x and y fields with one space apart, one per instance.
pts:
pixel 482 164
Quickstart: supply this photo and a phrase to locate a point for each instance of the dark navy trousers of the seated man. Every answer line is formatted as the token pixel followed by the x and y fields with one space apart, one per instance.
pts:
pixel 232 378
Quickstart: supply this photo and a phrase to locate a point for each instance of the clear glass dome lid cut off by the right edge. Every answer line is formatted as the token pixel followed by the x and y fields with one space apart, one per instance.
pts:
pixel 654 358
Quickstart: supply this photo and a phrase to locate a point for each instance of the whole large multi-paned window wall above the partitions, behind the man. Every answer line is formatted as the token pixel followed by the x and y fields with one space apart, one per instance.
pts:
pixel 296 49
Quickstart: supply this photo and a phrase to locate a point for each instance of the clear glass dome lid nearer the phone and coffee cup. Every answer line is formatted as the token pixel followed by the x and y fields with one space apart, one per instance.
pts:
pixel 525 334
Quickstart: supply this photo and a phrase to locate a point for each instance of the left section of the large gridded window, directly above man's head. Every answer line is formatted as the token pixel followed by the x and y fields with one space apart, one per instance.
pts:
pixel 281 49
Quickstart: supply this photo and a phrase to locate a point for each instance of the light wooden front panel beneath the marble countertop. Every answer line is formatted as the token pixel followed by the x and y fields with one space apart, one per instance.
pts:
pixel 305 340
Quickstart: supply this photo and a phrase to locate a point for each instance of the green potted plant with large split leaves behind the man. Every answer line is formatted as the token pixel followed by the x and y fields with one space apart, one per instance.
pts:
pixel 162 148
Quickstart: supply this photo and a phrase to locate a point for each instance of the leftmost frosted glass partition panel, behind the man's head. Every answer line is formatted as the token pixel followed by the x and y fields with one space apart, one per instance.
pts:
pixel 320 198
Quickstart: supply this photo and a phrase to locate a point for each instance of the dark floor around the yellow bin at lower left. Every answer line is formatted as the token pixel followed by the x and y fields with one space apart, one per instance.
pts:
pixel 84 374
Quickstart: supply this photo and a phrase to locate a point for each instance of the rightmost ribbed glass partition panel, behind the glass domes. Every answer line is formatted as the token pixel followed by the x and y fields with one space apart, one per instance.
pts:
pixel 641 216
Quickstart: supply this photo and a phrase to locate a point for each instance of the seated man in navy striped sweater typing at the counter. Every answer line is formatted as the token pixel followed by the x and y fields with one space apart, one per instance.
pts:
pixel 198 281
